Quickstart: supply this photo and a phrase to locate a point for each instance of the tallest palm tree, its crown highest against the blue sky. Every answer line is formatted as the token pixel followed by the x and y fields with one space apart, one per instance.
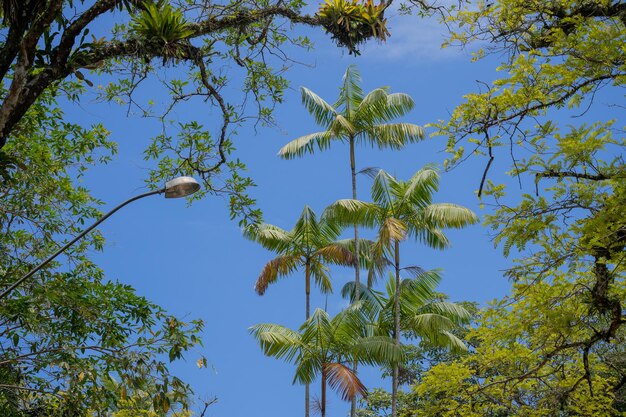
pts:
pixel 356 119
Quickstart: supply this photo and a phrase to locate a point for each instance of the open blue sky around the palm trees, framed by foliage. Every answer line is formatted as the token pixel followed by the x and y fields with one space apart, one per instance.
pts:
pixel 193 260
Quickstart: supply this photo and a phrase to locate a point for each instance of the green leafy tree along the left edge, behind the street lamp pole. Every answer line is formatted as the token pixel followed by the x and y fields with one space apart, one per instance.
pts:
pixel 67 331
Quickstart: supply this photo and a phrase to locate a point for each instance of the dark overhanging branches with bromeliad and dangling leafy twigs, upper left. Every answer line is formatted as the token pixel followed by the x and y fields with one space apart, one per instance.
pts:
pixel 141 42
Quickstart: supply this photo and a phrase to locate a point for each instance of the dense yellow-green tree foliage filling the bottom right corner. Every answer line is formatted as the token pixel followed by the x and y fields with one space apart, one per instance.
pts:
pixel 527 360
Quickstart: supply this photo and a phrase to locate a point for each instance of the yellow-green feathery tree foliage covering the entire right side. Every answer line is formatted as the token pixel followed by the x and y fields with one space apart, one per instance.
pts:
pixel 555 345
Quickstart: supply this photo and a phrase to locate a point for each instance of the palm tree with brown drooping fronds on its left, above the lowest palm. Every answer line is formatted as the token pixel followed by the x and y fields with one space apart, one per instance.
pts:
pixel 311 244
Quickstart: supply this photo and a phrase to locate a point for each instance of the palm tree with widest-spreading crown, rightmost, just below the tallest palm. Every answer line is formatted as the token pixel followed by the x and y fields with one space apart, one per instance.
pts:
pixel 402 209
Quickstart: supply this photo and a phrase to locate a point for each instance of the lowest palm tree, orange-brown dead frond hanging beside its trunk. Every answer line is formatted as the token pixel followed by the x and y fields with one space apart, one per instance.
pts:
pixel 327 347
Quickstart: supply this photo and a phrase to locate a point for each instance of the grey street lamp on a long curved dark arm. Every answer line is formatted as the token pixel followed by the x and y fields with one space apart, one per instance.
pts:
pixel 176 188
